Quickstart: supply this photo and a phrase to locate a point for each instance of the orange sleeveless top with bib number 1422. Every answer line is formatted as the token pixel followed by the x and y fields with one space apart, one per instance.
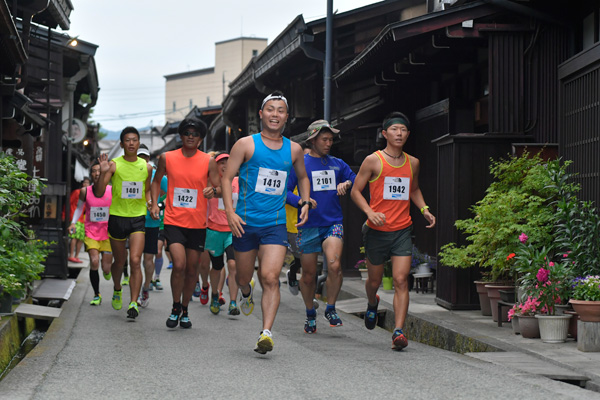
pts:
pixel 186 206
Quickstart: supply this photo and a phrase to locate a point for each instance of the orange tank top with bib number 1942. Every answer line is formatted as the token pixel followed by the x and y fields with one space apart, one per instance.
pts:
pixel 390 194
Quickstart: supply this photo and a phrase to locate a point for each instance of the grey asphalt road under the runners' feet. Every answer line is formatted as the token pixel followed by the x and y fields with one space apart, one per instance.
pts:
pixel 96 353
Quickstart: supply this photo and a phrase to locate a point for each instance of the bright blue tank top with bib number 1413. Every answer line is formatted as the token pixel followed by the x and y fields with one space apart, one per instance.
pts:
pixel 263 184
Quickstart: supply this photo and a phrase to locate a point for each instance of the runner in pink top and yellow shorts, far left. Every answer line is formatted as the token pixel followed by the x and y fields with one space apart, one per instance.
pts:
pixel 96 230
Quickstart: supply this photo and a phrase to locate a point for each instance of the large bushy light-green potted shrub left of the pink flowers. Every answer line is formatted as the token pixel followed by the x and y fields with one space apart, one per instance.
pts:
pixel 520 198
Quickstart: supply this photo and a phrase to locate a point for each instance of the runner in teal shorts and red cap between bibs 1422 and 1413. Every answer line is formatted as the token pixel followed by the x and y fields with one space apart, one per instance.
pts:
pixel 218 243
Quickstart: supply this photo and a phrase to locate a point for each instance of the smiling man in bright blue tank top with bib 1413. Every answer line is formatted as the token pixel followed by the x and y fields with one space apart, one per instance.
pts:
pixel 258 224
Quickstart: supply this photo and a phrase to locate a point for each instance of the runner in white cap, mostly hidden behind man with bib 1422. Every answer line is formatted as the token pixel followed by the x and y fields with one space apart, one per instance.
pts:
pixel 151 239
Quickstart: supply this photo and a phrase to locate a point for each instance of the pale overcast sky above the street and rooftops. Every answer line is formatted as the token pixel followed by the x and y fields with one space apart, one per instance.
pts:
pixel 141 41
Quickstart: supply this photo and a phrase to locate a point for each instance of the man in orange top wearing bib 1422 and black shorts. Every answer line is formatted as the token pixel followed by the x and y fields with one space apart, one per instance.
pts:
pixel 189 171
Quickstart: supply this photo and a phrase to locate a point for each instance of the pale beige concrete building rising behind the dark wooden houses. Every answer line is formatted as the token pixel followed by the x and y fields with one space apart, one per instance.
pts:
pixel 208 86
